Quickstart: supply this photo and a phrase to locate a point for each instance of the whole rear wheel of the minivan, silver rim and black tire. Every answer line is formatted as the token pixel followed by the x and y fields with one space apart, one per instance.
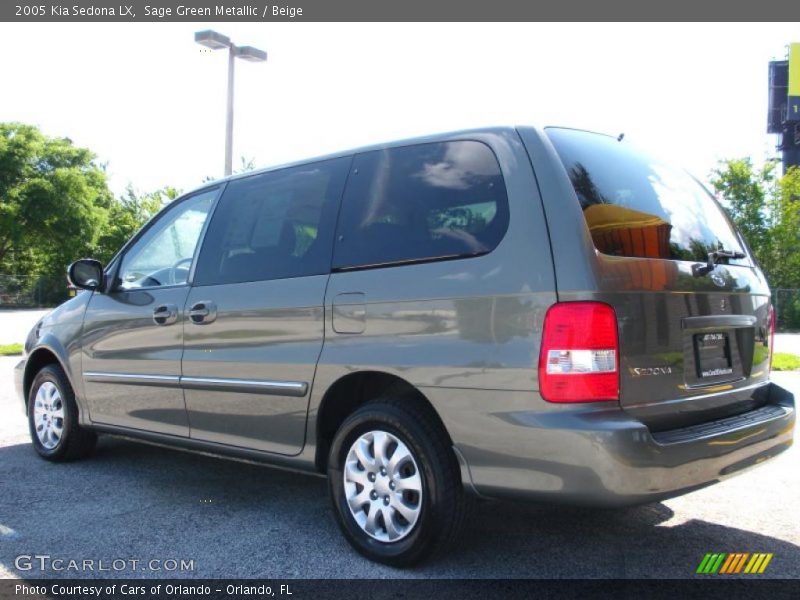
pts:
pixel 395 484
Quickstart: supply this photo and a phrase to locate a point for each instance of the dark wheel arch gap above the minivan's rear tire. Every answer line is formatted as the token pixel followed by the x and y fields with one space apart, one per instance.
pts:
pixel 352 391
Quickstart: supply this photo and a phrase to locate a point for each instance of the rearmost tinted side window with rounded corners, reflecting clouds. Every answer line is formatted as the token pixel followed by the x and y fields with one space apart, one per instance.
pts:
pixel 422 202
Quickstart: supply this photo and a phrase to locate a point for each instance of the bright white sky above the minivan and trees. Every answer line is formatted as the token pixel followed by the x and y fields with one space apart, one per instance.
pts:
pixel 151 103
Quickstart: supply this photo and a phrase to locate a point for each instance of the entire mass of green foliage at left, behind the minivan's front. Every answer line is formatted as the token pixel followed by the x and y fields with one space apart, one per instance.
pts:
pixel 55 207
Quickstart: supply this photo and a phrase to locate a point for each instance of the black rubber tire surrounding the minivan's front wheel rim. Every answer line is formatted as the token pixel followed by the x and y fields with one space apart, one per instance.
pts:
pixel 76 442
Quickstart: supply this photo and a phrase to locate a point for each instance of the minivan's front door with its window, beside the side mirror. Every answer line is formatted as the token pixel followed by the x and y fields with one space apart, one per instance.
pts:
pixel 133 335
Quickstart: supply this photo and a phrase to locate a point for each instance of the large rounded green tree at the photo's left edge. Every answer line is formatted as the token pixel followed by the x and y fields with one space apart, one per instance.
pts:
pixel 54 200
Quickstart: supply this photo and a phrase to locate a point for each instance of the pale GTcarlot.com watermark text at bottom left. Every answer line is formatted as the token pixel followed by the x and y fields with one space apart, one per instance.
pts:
pixel 45 563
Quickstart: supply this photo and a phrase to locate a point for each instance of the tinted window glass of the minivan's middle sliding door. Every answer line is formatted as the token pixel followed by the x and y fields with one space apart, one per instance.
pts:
pixel 274 225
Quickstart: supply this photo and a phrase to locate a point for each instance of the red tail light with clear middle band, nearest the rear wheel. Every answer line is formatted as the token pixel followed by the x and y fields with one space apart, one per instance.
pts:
pixel 579 360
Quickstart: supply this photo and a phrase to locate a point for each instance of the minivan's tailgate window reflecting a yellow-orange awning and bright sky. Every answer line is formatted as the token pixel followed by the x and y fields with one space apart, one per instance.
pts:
pixel 637 206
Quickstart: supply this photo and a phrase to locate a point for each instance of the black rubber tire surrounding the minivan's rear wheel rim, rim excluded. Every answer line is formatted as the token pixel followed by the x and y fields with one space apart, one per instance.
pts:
pixel 443 504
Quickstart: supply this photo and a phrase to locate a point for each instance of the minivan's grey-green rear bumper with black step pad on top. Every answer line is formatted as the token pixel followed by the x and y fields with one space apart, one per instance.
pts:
pixel 602 456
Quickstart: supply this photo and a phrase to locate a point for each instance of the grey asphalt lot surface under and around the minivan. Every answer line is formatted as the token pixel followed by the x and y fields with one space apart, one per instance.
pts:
pixel 133 501
